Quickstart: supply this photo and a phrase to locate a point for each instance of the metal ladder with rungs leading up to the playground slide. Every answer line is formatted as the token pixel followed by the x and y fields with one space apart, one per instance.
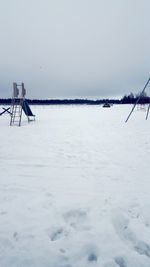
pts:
pixel 16 111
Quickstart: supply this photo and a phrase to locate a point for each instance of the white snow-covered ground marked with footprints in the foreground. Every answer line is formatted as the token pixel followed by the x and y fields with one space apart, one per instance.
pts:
pixel 75 188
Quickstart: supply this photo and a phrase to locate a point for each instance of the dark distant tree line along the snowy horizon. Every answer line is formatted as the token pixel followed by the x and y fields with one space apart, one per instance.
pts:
pixel 127 99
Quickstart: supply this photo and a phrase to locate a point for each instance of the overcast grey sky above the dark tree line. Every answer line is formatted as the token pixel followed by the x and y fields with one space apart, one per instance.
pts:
pixel 74 48
